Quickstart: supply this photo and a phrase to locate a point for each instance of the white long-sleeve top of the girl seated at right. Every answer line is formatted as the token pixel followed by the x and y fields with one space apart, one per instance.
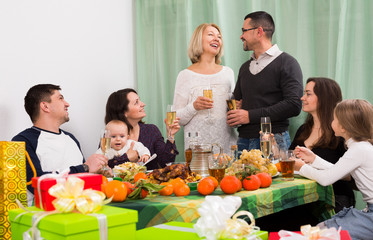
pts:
pixel 357 161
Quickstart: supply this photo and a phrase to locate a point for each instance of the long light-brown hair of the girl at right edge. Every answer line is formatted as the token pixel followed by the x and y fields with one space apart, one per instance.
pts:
pixel 355 116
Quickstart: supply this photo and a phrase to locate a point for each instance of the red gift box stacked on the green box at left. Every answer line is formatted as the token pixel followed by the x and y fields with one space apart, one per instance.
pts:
pixel 91 180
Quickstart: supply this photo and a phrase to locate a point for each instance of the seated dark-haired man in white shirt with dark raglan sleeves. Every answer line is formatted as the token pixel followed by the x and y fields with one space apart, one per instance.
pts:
pixel 51 148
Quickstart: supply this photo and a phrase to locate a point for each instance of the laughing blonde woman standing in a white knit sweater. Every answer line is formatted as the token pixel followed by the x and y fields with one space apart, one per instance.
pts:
pixel 198 113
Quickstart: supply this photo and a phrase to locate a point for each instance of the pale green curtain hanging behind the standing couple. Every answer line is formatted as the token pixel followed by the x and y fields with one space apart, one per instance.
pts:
pixel 330 38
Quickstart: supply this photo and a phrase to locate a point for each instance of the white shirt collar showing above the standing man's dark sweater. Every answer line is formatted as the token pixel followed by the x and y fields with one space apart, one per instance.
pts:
pixel 257 65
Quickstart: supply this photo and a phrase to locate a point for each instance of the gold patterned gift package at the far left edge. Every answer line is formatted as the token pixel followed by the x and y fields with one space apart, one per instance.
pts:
pixel 12 181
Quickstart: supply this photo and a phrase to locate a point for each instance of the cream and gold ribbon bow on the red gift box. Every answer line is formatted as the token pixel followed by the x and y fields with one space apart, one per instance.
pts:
pixel 70 195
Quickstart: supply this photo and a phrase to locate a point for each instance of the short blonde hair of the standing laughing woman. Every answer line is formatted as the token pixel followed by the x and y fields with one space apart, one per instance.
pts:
pixel 195 48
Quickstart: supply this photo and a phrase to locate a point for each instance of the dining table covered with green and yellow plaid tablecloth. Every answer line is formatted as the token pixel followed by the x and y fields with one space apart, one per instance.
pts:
pixel 279 196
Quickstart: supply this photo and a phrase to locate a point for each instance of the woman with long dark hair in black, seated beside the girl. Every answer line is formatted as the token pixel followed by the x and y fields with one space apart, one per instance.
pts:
pixel 321 95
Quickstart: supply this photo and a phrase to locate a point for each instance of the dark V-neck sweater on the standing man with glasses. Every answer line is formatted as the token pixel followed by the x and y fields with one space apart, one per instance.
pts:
pixel 274 92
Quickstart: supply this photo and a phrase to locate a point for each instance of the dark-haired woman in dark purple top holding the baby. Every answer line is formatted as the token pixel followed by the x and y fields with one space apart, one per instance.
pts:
pixel 125 105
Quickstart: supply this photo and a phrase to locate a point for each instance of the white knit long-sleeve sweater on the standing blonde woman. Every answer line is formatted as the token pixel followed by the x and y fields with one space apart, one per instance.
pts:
pixel 190 85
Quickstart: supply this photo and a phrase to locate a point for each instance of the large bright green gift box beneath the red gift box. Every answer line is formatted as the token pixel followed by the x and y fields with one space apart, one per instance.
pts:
pixel 121 223
